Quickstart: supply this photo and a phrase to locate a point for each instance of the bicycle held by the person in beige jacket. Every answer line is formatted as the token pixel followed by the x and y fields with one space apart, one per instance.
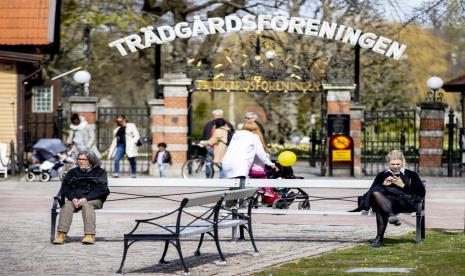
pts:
pixel 201 165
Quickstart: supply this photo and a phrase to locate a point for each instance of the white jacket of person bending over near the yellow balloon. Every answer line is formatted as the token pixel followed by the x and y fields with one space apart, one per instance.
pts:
pixel 242 150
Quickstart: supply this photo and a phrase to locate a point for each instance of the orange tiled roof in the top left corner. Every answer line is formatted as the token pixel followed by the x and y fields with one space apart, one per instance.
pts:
pixel 27 22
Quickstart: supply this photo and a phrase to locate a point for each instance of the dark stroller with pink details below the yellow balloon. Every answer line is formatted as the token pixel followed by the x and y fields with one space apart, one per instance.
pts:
pixel 282 198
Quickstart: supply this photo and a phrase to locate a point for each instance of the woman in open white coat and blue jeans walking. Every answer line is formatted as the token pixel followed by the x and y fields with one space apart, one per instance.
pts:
pixel 125 138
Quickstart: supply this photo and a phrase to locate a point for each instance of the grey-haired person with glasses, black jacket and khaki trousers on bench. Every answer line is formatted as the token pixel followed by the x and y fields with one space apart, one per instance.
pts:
pixel 86 188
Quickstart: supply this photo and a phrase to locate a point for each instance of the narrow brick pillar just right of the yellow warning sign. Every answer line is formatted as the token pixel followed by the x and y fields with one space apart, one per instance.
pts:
pixel 356 117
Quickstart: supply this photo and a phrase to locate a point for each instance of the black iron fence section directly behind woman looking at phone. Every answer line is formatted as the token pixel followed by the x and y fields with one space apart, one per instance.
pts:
pixel 384 131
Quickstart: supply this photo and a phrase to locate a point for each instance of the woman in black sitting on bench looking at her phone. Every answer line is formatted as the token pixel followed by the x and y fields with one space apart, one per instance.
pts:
pixel 394 191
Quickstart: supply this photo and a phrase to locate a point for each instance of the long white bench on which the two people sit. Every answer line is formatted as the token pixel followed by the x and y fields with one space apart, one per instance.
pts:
pixel 315 183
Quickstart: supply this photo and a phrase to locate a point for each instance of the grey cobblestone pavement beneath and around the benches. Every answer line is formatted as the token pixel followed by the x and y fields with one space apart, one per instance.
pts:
pixel 26 249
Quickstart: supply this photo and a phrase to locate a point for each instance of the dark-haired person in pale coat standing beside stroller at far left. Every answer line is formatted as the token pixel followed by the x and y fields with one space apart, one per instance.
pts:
pixel 81 136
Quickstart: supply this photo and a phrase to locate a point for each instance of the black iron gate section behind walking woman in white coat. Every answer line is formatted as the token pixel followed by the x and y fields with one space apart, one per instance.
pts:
pixel 105 125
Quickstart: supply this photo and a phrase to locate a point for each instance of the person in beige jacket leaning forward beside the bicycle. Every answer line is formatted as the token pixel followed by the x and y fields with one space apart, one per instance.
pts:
pixel 219 141
